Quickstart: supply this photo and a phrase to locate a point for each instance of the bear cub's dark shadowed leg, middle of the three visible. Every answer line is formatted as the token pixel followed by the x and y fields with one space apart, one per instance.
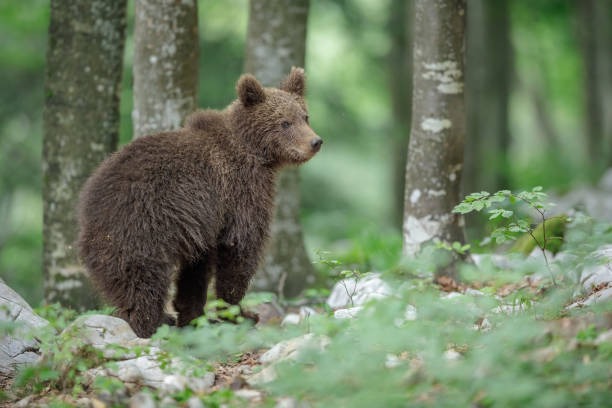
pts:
pixel 191 286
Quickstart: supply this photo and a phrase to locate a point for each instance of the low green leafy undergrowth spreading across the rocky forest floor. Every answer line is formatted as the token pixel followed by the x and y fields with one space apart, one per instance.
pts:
pixel 514 343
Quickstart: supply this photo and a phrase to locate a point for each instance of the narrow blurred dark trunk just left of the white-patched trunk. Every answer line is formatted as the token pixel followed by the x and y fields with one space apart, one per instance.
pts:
pixel 400 86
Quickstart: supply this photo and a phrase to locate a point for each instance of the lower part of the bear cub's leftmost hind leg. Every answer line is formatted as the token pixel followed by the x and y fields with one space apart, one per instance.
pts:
pixel 143 295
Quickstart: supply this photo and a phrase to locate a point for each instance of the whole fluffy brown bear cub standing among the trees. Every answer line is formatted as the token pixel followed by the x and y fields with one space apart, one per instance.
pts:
pixel 173 209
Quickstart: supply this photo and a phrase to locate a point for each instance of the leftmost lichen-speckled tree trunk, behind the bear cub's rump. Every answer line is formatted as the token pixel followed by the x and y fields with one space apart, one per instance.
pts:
pixel 81 127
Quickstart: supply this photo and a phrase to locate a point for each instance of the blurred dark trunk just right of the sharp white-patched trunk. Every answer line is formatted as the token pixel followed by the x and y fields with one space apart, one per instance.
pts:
pixel 488 76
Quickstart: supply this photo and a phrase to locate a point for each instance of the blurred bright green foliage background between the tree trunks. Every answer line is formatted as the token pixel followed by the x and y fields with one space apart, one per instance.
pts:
pixel 347 191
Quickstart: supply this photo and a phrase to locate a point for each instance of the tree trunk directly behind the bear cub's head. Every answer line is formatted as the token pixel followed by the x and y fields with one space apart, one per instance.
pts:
pixel 276 42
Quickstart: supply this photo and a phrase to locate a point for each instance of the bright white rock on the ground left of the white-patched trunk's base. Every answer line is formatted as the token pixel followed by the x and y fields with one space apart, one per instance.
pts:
pixel 356 292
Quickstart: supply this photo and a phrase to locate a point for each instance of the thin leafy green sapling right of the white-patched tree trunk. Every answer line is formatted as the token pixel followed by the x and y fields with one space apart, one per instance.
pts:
pixel 534 199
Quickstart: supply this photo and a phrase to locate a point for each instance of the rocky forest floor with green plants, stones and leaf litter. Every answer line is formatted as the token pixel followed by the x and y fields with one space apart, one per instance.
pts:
pixel 378 344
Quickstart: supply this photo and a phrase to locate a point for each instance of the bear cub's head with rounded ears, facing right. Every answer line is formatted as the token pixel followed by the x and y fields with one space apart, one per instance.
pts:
pixel 274 122
